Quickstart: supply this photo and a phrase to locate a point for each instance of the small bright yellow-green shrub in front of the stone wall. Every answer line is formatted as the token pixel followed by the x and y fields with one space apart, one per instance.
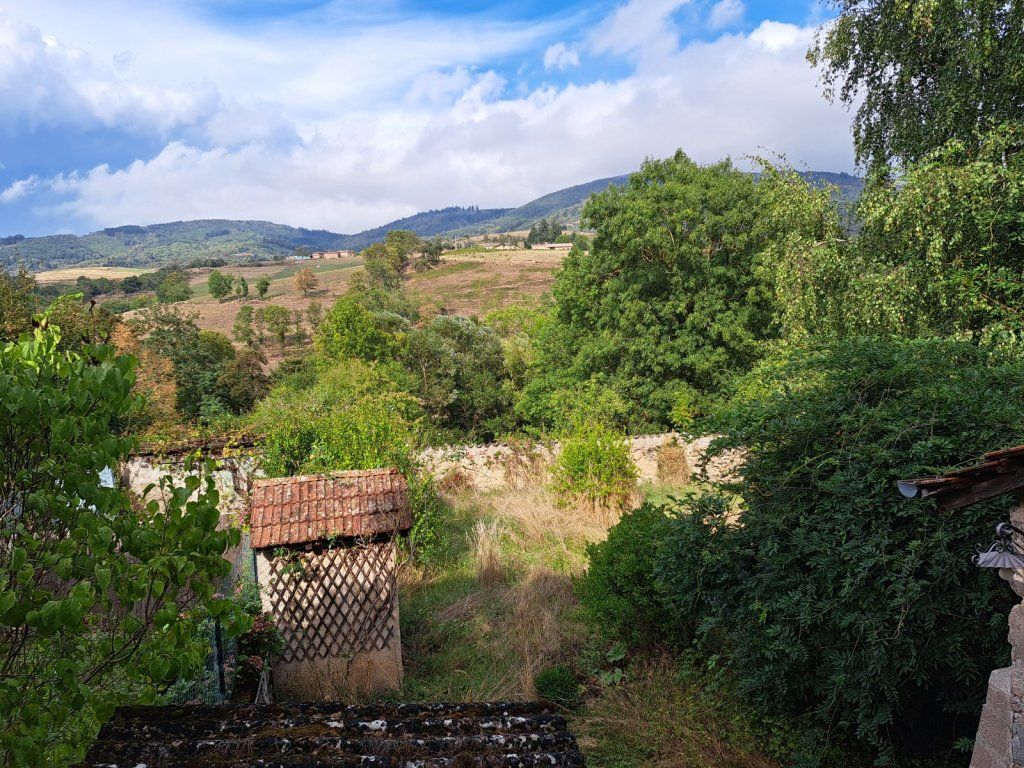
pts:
pixel 594 467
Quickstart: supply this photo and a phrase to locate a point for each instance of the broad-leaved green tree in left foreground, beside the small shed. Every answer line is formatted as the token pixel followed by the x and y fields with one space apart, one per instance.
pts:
pixel 101 604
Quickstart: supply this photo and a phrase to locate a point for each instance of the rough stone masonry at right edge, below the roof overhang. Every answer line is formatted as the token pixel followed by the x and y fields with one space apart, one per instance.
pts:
pixel 1001 734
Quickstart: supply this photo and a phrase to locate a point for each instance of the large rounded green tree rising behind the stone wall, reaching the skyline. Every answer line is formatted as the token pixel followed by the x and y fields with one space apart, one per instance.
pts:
pixel 670 296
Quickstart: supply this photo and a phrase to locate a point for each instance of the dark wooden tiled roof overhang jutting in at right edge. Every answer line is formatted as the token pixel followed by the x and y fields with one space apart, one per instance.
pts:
pixel 1002 473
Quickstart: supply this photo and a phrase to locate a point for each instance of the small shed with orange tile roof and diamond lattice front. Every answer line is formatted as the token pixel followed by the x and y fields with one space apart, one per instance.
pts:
pixel 326 566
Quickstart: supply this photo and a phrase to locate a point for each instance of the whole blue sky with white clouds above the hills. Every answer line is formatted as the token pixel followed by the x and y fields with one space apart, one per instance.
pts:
pixel 349 115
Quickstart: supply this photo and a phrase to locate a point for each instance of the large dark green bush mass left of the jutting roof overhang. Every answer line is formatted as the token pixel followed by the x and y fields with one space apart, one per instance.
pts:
pixel 836 603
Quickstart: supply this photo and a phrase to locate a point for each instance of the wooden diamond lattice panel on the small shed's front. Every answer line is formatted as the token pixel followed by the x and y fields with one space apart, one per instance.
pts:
pixel 335 603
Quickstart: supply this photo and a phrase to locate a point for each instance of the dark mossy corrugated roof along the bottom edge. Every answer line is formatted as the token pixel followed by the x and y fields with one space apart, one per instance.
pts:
pixel 336 736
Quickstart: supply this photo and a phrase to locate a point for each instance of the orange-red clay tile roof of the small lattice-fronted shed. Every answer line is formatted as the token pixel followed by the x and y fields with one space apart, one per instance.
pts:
pixel 309 508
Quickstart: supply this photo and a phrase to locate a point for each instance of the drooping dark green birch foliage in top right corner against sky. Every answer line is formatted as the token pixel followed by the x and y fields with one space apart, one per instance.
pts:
pixel 923 73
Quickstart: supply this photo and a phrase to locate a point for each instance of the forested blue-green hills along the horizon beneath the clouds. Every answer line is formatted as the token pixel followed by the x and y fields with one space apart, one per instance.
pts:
pixel 183 242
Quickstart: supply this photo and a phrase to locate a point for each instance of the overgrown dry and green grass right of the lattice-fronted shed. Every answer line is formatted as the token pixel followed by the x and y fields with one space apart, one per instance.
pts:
pixel 497 609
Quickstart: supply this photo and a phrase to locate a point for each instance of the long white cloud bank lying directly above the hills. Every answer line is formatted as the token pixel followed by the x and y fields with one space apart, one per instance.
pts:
pixel 460 138
